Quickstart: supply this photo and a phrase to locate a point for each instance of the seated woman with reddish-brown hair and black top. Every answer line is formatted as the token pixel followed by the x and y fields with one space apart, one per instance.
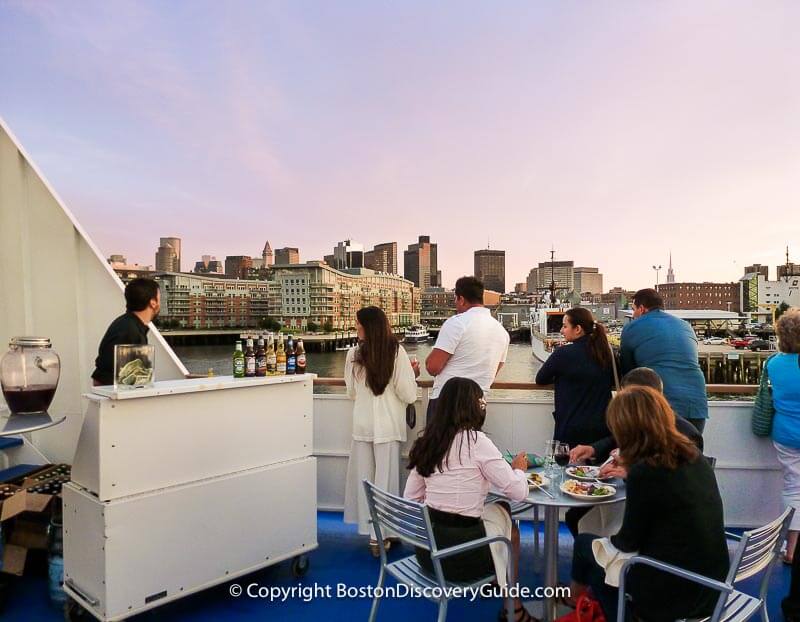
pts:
pixel 673 513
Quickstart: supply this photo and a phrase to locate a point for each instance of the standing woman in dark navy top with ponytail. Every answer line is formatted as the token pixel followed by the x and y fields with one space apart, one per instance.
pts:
pixel 582 372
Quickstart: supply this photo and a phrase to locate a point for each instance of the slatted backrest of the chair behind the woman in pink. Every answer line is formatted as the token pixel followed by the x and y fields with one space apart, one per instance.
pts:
pixel 408 520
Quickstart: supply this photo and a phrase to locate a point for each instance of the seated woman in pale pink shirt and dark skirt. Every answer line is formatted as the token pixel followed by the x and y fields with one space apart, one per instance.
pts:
pixel 452 466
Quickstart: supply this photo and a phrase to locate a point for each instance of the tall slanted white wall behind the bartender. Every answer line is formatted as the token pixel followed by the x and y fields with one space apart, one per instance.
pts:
pixel 55 283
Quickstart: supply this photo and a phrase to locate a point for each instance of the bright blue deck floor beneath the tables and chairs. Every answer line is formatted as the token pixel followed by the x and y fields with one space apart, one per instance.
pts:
pixel 342 557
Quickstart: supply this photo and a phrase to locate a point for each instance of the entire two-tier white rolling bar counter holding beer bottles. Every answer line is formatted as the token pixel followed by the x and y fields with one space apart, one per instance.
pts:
pixel 187 484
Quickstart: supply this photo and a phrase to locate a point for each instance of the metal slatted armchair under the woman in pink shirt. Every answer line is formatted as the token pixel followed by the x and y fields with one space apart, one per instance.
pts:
pixel 411 522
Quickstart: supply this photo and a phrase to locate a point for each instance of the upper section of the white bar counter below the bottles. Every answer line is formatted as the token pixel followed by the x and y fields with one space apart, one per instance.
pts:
pixel 180 431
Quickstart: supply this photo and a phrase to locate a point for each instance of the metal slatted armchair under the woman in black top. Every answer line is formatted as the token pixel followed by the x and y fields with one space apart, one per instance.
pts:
pixel 757 550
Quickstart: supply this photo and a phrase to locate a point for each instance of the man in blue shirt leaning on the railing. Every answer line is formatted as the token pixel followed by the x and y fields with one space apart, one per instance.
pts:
pixel 667 345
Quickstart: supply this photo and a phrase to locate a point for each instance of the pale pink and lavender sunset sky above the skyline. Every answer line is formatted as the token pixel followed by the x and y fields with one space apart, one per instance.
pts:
pixel 613 131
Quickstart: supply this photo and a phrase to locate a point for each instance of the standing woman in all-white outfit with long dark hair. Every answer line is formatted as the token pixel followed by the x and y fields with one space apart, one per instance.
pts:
pixel 381 379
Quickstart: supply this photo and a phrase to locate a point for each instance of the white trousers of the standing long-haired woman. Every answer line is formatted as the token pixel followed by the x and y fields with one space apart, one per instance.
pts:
pixel 378 463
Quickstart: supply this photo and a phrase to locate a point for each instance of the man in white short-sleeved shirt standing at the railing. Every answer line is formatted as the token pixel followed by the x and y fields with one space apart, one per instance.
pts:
pixel 471 344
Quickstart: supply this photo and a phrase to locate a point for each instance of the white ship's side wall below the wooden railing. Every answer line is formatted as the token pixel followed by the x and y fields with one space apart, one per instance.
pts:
pixel 747 471
